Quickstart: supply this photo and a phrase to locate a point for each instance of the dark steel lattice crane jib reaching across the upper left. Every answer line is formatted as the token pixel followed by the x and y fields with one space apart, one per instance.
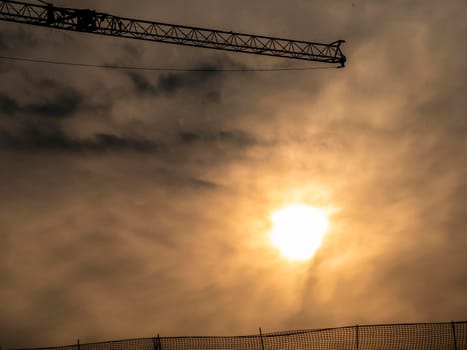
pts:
pixel 90 21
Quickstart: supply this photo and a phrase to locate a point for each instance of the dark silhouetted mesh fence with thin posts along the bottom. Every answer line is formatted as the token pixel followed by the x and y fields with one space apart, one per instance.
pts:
pixel 413 336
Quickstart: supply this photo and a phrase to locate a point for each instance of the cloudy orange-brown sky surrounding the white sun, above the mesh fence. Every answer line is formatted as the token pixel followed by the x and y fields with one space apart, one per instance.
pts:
pixel 138 202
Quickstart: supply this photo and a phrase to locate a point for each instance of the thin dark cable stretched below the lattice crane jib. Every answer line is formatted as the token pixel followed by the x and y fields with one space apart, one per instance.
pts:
pixel 160 69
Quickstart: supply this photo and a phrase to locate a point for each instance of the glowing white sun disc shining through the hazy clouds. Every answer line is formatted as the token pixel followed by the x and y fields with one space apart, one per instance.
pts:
pixel 298 231
